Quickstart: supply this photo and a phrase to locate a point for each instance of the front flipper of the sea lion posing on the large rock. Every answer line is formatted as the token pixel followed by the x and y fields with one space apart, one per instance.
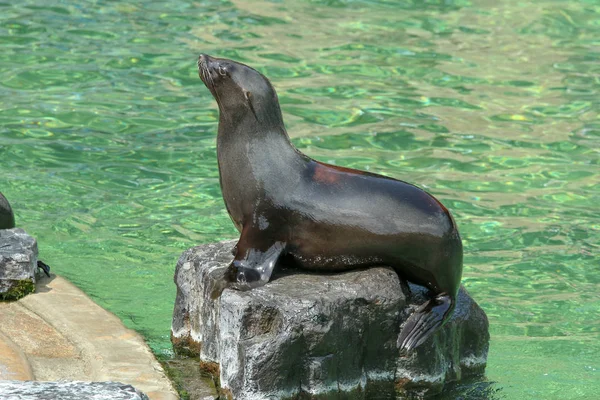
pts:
pixel 252 267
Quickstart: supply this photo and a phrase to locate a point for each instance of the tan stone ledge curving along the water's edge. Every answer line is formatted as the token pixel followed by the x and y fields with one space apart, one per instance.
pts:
pixel 58 333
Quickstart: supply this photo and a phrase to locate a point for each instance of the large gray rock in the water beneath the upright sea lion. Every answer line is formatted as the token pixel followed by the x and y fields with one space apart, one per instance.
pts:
pixel 319 336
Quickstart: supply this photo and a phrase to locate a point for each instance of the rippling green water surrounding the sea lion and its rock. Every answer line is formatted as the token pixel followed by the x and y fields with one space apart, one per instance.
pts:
pixel 107 146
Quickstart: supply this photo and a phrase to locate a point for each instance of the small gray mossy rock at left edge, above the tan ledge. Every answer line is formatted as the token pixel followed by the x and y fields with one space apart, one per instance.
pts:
pixel 18 263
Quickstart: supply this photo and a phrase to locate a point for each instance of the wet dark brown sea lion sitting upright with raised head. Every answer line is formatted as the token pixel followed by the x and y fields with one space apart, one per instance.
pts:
pixel 323 217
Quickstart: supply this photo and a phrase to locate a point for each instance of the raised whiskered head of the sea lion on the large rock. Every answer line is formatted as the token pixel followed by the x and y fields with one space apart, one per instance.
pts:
pixel 239 90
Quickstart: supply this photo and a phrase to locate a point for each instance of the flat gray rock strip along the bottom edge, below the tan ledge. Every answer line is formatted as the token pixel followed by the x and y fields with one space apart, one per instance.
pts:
pixel 29 390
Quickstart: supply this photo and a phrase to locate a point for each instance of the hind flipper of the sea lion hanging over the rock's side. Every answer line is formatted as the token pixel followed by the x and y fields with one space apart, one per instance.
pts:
pixel 425 320
